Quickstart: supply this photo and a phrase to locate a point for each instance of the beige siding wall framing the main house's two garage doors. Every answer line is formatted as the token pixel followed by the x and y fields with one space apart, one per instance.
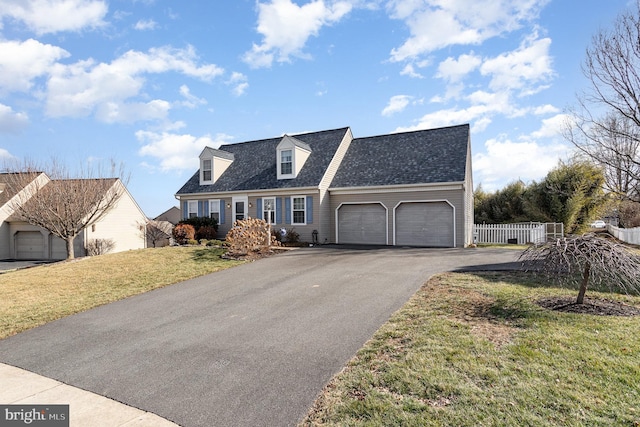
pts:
pixel 453 194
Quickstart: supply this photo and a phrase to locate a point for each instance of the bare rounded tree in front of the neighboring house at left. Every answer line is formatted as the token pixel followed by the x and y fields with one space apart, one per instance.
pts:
pixel 63 203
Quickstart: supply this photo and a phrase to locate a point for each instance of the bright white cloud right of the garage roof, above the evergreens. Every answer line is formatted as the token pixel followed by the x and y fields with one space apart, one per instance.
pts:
pixel 506 161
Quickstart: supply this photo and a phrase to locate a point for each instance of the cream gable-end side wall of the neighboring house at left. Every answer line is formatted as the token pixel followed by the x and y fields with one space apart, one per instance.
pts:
pixel 122 224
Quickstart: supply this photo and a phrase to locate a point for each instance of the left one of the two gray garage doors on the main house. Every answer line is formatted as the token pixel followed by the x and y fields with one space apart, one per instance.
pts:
pixel 362 224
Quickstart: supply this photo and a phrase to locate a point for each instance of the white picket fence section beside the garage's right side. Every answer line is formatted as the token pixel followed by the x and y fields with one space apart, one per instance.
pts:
pixel 530 232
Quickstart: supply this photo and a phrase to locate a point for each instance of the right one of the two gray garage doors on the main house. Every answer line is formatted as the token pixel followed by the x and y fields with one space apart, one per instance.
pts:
pixel 424 224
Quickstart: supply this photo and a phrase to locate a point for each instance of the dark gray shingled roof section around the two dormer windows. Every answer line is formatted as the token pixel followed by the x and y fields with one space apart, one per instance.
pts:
pixel 254 165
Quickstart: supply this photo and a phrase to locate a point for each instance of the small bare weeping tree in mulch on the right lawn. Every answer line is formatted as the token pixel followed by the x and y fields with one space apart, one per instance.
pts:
pixel 583 260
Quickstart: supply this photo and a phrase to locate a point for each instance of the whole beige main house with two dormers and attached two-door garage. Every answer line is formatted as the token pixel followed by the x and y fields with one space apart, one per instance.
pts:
pixel 409 189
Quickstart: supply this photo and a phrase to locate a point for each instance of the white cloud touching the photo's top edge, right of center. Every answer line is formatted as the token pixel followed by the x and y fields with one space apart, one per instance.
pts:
pixel 435 24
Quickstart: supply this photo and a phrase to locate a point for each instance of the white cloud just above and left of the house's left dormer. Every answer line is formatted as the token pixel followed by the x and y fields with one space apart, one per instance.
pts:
pixel 177 151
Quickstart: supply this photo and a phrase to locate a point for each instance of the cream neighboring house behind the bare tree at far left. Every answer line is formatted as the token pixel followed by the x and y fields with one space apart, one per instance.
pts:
pixel 20 240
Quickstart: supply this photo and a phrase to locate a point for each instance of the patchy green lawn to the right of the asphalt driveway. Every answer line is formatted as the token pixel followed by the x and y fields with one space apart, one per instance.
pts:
pixel 476 350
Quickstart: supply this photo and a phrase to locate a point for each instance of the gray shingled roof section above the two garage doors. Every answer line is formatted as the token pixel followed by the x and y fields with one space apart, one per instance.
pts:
pixel 427 156
